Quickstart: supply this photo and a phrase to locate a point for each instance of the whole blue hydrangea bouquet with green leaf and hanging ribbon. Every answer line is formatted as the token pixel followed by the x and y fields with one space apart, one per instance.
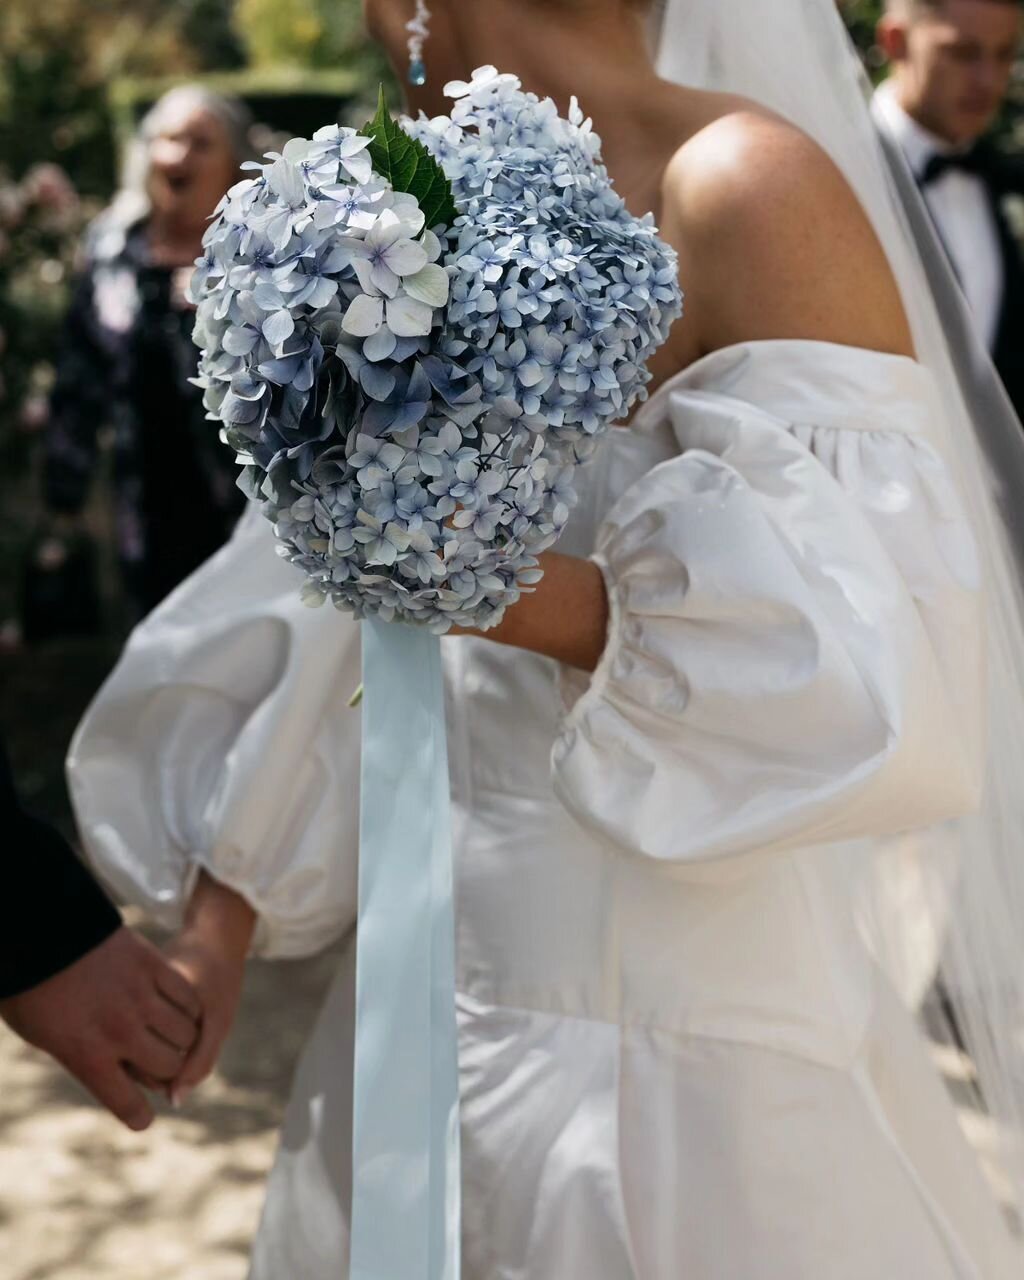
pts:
pixel 413 335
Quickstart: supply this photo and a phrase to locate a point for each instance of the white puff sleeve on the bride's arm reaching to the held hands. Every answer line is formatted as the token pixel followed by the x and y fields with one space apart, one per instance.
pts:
pixel 223 739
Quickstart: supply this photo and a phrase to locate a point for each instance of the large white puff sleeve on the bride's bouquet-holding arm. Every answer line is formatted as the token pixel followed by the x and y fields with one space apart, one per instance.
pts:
pixel 794 648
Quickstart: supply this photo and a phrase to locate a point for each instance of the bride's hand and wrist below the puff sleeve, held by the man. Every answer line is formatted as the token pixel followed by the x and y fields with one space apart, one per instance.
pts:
pixel 211 952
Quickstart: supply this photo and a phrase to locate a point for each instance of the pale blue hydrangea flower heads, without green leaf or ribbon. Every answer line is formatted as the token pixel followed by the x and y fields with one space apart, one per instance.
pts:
pixel 412 404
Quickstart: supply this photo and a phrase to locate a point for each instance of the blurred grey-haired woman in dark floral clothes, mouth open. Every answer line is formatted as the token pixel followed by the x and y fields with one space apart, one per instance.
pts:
pixel 126 355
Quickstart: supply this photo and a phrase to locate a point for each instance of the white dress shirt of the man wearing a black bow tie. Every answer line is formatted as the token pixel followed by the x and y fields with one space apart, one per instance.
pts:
pixel 961 209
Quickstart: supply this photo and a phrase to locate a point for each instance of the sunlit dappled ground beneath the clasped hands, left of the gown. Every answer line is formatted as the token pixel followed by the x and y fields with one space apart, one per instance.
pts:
pixel 83 1199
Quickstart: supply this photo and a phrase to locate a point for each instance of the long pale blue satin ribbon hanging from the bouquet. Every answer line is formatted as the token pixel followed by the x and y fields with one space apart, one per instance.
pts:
pixel 405 1148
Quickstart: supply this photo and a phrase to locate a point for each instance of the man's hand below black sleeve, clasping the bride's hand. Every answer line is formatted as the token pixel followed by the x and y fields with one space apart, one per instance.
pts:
pixel 118 1016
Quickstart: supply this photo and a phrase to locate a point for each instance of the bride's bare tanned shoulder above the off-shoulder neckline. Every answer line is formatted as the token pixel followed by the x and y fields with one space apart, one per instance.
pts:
pixel 775 240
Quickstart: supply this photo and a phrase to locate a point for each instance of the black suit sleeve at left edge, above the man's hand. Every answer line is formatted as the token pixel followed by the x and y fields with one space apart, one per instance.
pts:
pixel 52 909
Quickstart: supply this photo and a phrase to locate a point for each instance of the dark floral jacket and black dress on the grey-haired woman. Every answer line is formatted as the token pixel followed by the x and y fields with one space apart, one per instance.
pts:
pixel 124 368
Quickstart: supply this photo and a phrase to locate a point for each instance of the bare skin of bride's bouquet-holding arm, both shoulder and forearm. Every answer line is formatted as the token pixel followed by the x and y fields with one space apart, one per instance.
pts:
pixel 772 244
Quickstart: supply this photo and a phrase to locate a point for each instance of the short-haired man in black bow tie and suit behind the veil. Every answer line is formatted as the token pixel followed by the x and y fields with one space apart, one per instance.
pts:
pixel 952 65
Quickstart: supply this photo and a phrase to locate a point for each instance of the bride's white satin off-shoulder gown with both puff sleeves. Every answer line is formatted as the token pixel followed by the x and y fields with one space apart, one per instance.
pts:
pixel 679 1060
